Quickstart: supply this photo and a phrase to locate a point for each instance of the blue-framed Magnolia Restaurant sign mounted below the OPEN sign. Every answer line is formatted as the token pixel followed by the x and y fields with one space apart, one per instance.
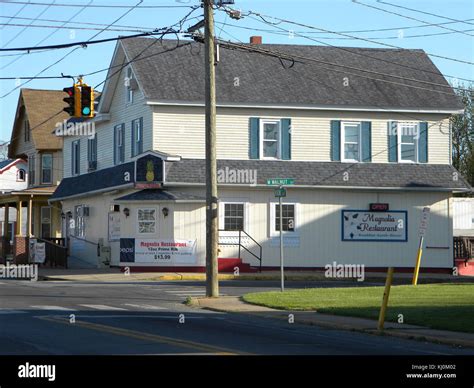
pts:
pixel 363 225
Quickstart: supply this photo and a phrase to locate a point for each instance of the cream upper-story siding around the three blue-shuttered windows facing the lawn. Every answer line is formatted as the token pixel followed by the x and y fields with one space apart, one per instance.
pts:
pixel 180 131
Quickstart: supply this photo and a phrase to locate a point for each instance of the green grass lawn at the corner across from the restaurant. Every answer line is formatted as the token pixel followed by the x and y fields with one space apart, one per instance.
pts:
pixel 439 306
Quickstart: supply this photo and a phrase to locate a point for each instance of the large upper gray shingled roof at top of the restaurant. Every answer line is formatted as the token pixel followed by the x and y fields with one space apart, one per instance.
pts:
pixel 178 75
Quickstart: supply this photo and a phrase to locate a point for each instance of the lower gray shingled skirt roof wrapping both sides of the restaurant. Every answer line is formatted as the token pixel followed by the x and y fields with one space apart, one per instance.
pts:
pixel 318 174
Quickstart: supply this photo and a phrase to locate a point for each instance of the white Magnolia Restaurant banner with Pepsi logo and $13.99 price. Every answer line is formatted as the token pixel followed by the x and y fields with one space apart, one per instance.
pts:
pixel 158 252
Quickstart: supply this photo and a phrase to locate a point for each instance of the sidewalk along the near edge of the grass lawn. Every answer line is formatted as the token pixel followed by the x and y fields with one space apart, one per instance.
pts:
pixel 232 304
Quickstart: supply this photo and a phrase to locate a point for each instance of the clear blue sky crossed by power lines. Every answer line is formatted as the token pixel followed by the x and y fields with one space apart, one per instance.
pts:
pixel 334 15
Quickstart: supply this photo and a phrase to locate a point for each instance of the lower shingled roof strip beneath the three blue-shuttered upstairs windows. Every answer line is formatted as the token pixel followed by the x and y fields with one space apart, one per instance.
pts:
pixel 363 175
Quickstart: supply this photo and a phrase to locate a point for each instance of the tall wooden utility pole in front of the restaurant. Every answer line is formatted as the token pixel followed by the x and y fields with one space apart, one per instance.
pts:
pixel 212 231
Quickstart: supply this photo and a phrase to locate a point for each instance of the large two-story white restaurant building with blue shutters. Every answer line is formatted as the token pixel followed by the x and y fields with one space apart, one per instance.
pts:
pixel 348 139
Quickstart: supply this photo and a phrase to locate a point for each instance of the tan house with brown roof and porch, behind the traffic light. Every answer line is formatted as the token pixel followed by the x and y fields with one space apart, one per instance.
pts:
pixel 37 114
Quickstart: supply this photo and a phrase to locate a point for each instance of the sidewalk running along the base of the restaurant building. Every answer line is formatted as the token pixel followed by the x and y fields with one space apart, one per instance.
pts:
pixel 115 275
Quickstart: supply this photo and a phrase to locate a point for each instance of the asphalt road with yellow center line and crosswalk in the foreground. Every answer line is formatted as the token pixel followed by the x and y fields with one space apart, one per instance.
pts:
pixel 56 318
